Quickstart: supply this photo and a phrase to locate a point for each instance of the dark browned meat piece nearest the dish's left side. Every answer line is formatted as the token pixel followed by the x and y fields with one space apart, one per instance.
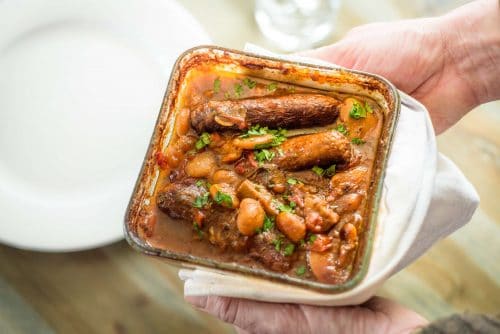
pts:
pixel 177 199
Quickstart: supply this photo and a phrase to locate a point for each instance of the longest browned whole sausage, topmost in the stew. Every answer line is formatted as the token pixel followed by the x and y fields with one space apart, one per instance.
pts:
pixel 286 111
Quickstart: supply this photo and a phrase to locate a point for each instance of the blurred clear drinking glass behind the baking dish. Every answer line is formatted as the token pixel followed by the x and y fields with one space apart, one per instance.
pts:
pixel 293 25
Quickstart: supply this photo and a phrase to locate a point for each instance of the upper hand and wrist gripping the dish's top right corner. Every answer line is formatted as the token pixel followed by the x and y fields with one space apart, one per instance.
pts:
pixel 451 63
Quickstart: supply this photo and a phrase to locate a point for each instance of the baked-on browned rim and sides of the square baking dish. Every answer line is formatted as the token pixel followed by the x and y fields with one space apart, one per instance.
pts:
pixel 292 71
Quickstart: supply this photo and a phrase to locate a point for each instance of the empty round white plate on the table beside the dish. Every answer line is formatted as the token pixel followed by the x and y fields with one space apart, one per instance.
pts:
pixel 81 84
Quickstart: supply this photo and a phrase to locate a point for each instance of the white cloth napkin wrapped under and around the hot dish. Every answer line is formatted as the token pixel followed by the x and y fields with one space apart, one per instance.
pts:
pixel 425 198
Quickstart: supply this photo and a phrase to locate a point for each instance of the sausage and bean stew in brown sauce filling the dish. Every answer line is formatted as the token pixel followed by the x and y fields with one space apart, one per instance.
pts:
pixel 267 175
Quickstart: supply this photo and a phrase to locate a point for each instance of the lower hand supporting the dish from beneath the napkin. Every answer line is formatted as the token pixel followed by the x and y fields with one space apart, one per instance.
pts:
pixel 378 315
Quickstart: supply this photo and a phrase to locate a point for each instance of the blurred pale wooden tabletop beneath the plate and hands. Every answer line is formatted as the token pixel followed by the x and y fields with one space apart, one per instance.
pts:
pixel 116 290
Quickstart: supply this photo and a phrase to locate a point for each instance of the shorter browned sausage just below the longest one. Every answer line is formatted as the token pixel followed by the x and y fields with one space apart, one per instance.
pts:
pixel 319 149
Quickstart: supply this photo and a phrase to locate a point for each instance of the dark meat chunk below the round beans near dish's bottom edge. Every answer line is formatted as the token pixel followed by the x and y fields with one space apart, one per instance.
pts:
pixel 263 249
